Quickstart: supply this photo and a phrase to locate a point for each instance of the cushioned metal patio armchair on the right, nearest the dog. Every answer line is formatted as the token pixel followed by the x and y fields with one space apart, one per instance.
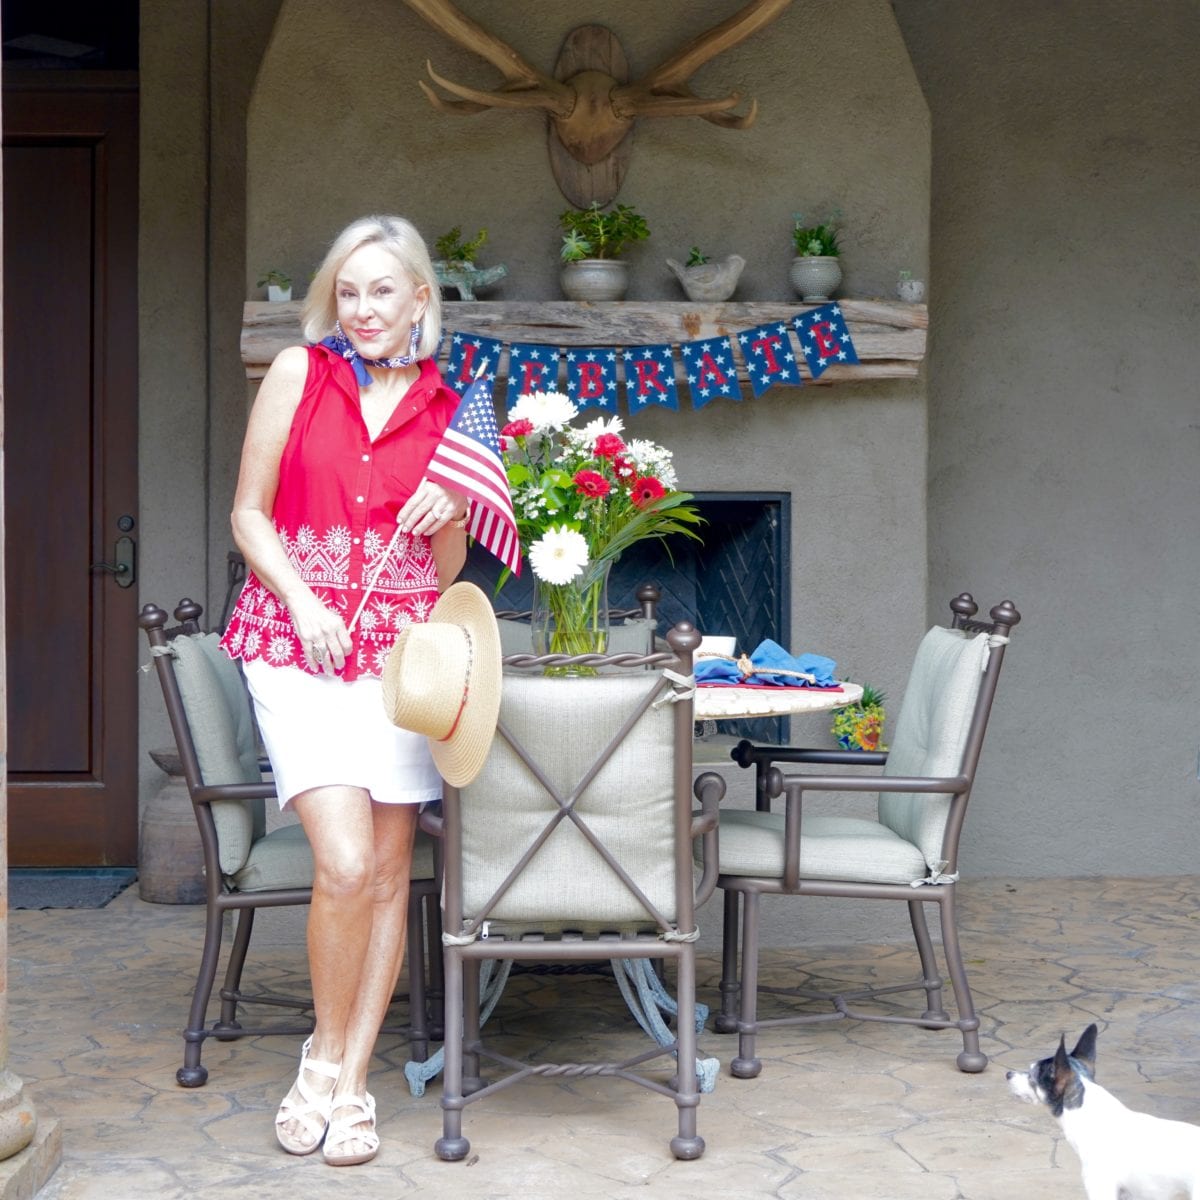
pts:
pixel 909 854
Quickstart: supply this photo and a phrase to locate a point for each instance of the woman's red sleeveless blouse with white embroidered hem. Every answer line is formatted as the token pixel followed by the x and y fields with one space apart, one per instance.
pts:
pixel 335 513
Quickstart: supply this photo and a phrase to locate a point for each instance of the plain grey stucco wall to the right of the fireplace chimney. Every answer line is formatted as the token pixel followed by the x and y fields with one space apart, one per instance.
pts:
pixel 1064 413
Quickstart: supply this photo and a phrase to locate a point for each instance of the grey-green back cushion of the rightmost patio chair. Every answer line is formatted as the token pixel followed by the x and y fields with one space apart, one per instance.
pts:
pixel 932 734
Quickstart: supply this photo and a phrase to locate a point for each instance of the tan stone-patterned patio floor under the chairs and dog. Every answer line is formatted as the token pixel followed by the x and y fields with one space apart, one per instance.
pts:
pixel 842 1111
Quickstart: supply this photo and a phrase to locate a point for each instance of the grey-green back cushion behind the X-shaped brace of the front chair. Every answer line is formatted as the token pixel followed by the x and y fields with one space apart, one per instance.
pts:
pixel 565 727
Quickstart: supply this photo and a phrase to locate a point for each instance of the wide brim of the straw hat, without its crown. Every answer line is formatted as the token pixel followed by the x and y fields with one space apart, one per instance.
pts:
pixel 461 758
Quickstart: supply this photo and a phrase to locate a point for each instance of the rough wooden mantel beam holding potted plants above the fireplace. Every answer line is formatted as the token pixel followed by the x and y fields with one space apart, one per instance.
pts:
pixel 889 337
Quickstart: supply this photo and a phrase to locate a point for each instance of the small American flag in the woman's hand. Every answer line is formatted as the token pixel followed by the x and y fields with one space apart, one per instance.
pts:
pixel 469 460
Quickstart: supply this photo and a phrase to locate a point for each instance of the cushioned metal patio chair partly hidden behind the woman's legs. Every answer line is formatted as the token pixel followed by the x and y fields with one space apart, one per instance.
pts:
pixel 245 867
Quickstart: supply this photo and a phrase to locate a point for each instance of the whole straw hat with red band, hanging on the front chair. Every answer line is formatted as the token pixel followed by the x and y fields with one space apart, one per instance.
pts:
pixel 443 680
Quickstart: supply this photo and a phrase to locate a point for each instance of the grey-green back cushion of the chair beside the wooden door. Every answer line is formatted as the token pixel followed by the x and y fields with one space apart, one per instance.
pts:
pixel 223 728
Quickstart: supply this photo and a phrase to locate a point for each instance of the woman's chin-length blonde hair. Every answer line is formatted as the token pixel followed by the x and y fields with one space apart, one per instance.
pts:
pixel 319 315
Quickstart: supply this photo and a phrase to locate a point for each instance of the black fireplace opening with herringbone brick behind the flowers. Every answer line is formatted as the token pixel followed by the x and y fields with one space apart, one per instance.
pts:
pixel 735 581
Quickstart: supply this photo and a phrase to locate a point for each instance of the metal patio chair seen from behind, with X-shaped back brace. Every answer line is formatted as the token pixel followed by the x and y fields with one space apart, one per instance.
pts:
pixel 575 845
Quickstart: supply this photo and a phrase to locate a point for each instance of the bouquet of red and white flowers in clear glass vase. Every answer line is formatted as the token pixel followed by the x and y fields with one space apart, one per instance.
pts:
pixel 581 497
